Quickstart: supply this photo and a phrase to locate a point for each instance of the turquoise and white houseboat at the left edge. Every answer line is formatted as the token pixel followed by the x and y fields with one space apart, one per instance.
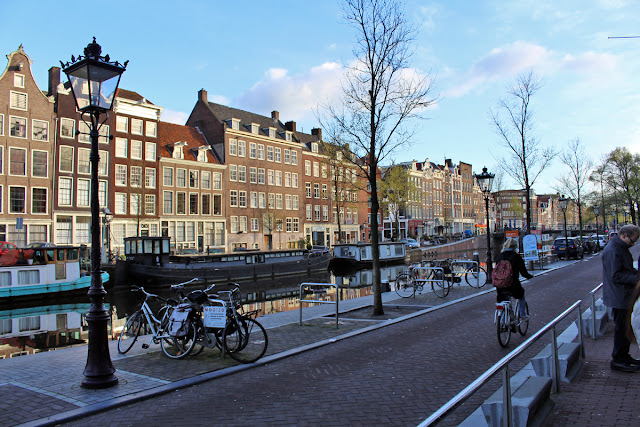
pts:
pixel 41 271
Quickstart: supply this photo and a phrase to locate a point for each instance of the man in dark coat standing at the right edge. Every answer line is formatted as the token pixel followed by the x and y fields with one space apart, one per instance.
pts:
pixel 619 278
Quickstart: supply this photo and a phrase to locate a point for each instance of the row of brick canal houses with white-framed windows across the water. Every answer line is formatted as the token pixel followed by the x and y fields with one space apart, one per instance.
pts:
pixel 228 178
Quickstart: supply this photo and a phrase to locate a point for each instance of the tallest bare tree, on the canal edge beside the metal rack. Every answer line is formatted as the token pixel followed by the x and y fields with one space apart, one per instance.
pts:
pixel 380 96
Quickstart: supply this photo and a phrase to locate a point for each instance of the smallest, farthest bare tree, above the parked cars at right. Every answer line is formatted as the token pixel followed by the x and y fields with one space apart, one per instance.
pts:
pixel 574 182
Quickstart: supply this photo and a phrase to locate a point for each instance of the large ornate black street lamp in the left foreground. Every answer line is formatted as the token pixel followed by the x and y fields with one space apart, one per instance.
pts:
pixel 94 81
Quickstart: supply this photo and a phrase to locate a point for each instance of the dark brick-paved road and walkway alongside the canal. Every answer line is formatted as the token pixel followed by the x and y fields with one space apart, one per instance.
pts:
pixel 272 394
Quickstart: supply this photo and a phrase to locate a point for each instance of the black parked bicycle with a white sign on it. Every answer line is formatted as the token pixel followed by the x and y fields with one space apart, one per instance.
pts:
pixel 223 324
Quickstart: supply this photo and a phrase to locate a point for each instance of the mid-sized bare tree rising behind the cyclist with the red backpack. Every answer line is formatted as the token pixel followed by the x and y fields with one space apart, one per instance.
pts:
pixel 513 122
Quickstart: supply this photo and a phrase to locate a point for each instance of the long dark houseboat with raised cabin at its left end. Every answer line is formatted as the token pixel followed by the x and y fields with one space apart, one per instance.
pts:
pixel 148 261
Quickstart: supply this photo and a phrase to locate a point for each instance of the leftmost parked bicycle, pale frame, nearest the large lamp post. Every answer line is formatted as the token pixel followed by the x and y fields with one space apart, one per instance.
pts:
pixel 144 321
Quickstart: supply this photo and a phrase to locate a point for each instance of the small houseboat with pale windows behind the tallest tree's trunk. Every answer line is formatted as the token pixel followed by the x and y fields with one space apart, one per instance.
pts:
pixel 361 255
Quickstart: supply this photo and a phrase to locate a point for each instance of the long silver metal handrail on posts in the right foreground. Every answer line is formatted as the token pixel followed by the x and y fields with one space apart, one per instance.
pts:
pixel 503 363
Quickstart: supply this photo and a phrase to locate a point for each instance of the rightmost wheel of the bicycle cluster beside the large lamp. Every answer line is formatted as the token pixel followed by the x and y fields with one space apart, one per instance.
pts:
pixel 249 340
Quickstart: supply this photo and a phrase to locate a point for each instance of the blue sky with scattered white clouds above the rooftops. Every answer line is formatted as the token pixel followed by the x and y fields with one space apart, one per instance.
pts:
pixel 288 55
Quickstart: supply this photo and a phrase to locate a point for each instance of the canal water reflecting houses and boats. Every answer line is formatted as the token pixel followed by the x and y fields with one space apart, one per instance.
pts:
pixel 58 322
